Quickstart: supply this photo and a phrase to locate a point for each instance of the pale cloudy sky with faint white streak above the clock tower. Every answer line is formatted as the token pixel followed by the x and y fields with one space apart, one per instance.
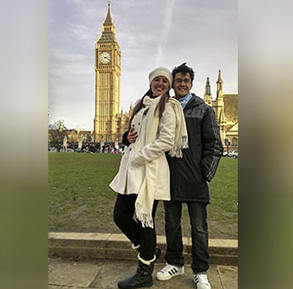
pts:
pixel 150 34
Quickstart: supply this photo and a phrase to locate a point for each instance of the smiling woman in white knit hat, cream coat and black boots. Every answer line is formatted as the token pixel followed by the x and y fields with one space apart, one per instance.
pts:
pixel 143 176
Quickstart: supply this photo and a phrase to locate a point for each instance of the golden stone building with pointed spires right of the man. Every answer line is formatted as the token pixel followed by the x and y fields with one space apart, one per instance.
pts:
pixel 226 111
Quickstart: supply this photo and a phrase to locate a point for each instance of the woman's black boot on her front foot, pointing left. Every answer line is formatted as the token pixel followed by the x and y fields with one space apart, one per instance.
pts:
pixel 142 277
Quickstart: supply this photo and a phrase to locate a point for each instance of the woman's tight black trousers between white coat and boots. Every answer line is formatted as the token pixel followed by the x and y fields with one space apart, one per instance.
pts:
pixel 133 230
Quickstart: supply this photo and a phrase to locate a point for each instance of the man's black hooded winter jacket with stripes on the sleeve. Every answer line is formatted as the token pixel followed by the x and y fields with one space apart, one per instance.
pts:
pixel 190 175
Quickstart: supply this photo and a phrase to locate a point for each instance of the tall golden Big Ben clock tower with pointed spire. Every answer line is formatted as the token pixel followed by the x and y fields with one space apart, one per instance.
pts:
pixel 108 71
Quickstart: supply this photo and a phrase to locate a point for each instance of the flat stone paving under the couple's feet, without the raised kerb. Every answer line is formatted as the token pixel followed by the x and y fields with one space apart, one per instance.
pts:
pixel 77 273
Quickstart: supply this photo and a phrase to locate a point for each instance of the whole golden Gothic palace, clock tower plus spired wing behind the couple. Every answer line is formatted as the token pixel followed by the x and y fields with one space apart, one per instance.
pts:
pixel 110 124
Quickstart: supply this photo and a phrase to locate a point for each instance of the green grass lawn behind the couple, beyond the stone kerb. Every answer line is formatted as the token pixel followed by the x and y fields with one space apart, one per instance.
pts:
pixel 80 199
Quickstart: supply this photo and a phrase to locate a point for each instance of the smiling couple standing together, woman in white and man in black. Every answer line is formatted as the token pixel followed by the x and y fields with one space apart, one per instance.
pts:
pixel 173 150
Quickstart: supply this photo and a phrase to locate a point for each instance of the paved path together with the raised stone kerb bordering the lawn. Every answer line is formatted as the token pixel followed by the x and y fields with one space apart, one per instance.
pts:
pixel 94 260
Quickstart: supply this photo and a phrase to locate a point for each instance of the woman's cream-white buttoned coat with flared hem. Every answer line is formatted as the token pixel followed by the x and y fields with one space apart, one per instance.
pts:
pixel 149 149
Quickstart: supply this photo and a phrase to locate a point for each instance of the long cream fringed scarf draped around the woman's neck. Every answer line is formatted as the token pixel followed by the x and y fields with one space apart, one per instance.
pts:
pixel 145 199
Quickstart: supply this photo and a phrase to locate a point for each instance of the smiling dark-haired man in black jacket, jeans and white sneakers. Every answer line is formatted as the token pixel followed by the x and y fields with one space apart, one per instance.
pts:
pixel 190 176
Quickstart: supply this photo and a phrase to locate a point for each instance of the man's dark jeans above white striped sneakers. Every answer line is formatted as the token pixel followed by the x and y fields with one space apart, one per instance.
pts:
pixel 199 235
